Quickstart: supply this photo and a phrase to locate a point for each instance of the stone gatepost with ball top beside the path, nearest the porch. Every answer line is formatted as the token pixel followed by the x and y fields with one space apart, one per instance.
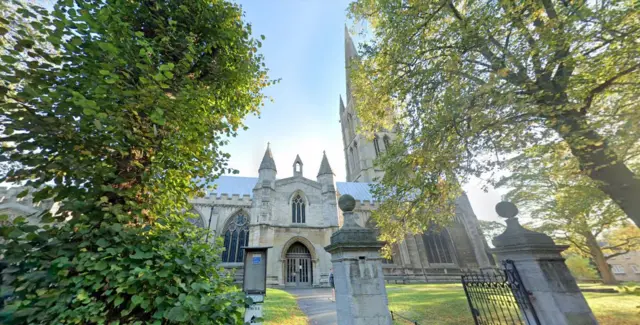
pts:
pixel 361 297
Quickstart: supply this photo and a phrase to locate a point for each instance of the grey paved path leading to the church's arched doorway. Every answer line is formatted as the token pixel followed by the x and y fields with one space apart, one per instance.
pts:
pixel 317 305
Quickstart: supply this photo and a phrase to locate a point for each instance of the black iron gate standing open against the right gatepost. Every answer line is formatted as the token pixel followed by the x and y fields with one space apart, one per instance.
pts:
pixel 499 298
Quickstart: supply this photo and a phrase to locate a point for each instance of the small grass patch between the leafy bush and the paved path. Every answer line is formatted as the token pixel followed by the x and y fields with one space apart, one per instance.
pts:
pixel 281 308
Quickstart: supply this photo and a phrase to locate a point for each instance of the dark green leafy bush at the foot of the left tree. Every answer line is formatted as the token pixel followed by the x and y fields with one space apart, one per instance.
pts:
pixel 115 274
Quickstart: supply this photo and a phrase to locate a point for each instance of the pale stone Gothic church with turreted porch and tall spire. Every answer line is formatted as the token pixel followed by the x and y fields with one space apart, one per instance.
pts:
pixel 297 215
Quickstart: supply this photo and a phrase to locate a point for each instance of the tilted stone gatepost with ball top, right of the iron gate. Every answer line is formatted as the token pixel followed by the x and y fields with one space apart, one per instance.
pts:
pixel 555 295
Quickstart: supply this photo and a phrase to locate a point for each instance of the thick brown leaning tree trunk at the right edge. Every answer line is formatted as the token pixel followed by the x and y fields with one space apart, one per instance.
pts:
pixel 599 162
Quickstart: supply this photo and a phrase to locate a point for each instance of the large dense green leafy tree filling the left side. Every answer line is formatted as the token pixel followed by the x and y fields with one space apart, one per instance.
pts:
pixel 114 108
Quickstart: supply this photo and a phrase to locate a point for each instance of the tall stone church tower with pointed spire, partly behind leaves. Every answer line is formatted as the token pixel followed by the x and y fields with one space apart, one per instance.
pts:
pixel 359 152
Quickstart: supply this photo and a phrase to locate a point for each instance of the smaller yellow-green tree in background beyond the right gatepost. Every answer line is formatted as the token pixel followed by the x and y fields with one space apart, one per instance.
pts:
pixel 562 202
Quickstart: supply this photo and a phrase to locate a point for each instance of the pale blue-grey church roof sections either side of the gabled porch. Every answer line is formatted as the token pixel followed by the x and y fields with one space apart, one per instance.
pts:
pixel 238 185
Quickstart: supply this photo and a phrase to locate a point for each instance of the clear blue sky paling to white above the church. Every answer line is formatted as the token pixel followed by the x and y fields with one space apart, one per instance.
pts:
pixel 304 47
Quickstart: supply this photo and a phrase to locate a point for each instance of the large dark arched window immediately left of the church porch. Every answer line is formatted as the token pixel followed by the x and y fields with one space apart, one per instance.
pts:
pixel 236 235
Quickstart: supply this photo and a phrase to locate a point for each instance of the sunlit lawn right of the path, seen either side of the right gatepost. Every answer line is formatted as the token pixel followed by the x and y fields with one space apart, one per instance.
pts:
pixel 446 304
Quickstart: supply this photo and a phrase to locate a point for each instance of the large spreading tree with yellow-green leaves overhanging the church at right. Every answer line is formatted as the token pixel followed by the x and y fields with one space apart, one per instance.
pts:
pixel 467 84
